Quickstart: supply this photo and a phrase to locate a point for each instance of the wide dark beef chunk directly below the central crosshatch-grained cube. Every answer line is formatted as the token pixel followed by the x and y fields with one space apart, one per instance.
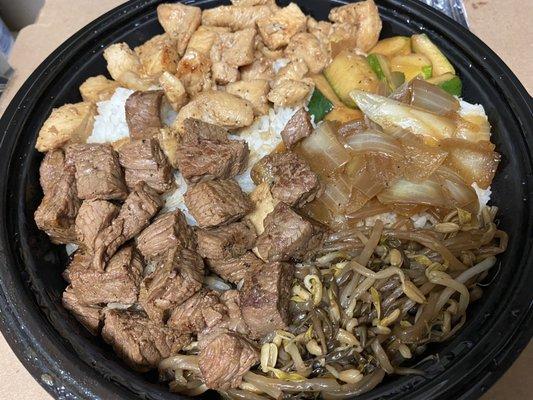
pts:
pixel 227 241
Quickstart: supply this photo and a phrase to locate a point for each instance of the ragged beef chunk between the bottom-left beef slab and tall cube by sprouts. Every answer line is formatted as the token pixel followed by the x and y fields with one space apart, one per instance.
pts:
pixel 201 311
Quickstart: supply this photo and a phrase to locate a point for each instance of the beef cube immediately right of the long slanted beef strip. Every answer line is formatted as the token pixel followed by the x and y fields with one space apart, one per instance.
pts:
pixel 167 231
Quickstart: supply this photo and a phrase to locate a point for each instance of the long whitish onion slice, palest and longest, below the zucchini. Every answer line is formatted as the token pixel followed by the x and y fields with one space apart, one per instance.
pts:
pixel 390 115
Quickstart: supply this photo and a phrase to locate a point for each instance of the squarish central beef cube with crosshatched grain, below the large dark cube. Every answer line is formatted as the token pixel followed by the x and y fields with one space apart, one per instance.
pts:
pixel 217 202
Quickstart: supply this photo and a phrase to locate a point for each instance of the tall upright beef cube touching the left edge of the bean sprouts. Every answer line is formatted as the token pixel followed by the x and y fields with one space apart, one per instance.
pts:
pixel 265 297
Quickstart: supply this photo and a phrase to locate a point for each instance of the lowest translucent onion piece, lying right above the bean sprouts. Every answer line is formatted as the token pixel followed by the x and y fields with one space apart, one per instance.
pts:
pixel 428 192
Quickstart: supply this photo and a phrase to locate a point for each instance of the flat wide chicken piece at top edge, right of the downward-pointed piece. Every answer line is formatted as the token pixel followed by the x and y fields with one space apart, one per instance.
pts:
pixel 235 18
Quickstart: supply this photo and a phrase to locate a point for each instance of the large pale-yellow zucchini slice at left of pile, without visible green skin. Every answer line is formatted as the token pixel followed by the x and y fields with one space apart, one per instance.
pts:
pixel 349 71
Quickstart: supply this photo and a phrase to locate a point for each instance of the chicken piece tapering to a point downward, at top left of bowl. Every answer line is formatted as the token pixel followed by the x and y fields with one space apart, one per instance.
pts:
pixel 179 21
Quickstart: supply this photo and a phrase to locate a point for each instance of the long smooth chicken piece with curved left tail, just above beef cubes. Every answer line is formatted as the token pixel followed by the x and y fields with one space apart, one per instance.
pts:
pixel 218 108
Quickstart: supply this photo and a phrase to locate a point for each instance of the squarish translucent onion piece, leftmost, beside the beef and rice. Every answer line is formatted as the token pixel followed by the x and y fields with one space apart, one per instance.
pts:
pixel 323 151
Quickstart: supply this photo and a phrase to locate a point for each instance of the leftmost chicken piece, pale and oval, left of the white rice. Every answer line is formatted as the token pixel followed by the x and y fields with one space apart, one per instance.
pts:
pixel 70 123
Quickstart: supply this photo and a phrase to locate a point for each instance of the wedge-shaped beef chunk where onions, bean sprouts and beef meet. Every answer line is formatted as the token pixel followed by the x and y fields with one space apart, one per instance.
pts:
pixel 287 235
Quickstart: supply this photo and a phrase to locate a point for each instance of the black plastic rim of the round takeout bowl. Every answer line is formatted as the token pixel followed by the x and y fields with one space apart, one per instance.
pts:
pixel 65 376
